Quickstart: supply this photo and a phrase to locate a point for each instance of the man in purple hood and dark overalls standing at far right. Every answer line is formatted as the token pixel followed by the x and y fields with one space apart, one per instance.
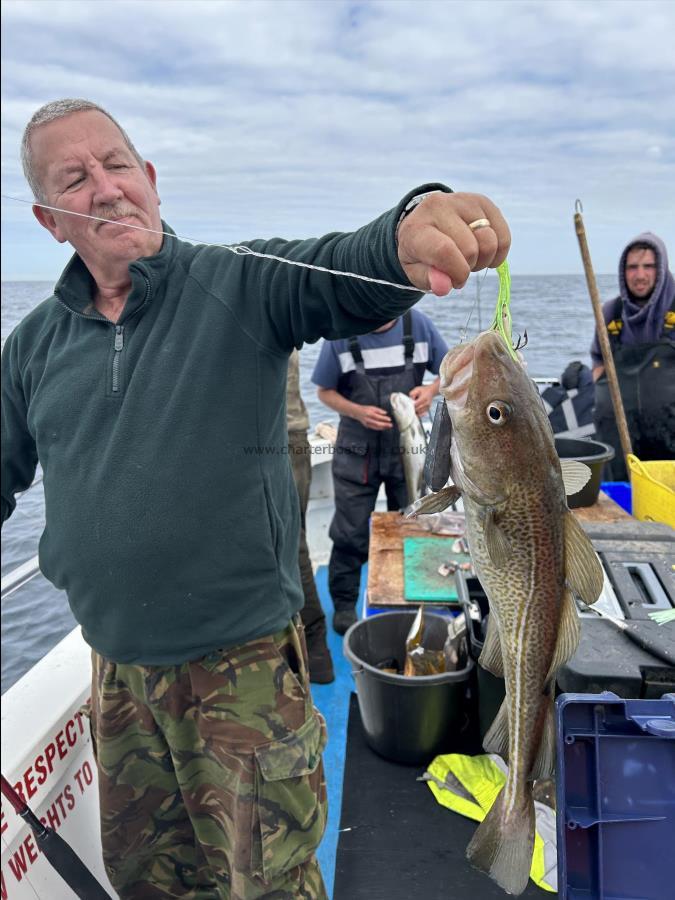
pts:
pixel 641 327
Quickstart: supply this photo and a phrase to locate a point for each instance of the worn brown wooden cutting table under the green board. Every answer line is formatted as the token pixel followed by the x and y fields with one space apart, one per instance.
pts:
pixel 385 555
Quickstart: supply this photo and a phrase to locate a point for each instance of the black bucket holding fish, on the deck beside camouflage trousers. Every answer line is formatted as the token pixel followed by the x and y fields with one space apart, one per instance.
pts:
pixel 405 719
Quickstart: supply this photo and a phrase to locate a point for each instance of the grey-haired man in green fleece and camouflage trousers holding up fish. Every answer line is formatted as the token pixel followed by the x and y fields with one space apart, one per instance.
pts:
pixel 151 389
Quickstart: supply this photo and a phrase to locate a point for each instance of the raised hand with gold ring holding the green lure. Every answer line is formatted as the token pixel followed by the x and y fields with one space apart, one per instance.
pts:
pixel 438 250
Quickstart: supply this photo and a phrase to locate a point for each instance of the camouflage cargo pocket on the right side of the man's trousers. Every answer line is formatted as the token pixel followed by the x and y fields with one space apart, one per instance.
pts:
pixel 291 799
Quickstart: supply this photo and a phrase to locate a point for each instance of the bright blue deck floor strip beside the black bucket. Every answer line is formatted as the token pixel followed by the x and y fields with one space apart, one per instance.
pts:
pixel 333 702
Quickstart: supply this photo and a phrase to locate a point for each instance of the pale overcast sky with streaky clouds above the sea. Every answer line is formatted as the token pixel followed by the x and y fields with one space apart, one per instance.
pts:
pixel 298 118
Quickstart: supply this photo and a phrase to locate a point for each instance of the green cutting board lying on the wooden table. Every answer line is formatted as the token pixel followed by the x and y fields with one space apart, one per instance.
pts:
pixel 421 559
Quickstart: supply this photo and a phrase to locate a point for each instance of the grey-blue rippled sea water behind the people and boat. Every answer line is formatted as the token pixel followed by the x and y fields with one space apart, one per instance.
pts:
pixel 554 309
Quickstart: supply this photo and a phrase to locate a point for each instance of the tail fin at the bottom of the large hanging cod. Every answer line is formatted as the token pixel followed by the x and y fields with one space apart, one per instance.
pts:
pixel 503 846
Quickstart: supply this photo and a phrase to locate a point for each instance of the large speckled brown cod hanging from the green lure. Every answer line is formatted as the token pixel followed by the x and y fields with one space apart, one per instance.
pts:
pixel 531 555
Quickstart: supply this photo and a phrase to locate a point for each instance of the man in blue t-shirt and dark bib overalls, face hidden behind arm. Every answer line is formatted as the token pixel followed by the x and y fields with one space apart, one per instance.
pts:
pixel 355 378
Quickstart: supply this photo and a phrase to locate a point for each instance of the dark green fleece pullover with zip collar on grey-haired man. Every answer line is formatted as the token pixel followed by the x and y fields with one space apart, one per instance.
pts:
pixel 171 511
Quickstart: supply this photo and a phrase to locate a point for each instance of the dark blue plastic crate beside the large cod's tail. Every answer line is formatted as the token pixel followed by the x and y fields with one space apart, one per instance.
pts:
pixel 615 797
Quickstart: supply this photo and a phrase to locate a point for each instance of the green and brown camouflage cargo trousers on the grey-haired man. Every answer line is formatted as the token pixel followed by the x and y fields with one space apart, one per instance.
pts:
pixel 210 774
